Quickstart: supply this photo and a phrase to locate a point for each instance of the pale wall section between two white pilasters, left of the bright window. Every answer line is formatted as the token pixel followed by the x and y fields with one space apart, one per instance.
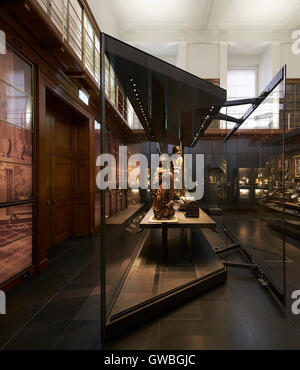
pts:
pixel 203 60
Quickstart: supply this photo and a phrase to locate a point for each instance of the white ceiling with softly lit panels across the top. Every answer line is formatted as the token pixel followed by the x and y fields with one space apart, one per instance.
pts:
pixel 174 15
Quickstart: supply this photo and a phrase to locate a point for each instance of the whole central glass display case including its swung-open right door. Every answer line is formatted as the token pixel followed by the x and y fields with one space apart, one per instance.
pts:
pixel 160 248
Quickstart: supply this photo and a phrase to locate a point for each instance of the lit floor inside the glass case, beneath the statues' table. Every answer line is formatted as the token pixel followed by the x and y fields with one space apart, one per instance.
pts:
pixel 156 272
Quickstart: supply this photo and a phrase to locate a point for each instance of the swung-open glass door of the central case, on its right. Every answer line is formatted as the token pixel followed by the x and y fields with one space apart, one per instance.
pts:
pixel 258 187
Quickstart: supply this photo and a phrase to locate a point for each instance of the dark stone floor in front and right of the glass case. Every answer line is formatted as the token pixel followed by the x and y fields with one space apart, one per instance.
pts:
pixel 240 314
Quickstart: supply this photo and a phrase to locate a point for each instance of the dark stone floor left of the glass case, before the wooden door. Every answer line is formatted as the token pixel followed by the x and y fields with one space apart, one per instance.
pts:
pixel 60 307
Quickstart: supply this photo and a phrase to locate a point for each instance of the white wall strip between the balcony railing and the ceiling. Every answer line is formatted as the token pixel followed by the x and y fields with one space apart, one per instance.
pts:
pixel 105 17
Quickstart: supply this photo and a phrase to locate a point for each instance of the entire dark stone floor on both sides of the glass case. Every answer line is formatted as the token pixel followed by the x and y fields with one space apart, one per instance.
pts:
pixel 60 309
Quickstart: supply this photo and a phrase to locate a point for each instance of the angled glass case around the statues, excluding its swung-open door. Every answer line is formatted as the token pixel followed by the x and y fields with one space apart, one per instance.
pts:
pixel 151 266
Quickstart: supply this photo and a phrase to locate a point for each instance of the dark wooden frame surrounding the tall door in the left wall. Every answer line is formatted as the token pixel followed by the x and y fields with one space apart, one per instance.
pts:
pixel 44 83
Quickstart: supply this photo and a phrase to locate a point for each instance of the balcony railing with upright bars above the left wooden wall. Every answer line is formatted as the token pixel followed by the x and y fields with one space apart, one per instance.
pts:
pixel 76 28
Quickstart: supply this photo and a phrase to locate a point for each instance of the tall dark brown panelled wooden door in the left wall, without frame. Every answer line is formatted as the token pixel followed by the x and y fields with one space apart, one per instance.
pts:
pixel 69 177
